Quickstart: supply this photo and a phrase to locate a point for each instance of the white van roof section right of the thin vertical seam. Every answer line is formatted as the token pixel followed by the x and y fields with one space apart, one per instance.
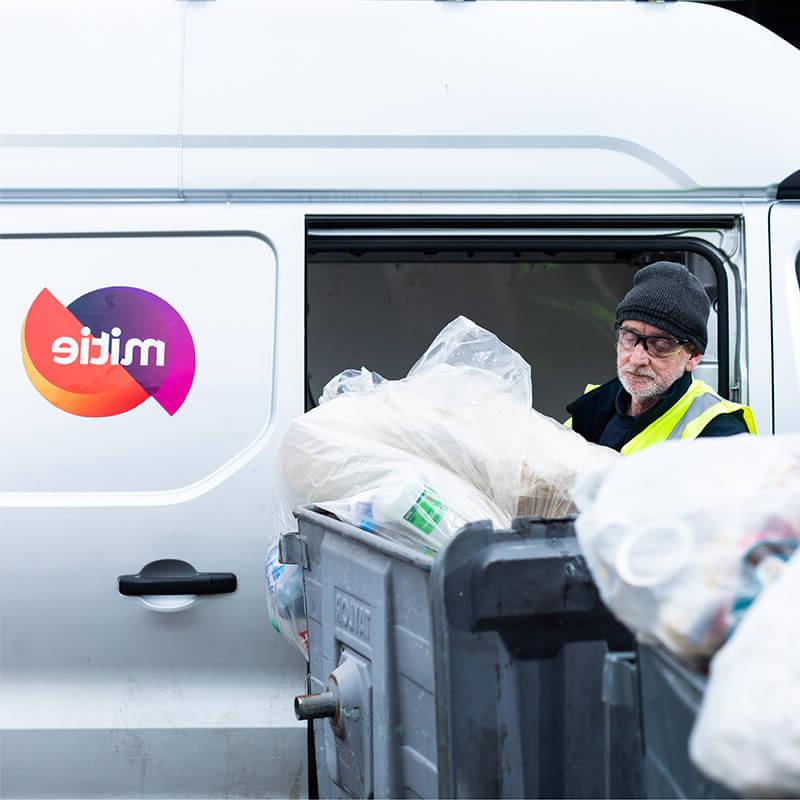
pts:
pixel 503 96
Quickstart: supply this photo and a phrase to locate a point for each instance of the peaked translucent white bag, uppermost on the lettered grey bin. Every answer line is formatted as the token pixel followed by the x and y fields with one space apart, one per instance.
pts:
pixel 464 406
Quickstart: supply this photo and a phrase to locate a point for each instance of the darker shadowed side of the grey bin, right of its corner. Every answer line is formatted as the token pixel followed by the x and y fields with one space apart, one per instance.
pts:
pixel 520 640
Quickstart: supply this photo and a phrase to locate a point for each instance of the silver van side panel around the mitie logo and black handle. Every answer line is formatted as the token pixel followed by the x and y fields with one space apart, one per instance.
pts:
pixel 118 699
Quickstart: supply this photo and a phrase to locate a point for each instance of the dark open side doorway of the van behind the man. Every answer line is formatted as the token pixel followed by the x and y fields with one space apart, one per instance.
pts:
pixel 378 301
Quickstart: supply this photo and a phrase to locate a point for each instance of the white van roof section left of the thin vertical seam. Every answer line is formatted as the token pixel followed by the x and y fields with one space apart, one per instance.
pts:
pixel 90 95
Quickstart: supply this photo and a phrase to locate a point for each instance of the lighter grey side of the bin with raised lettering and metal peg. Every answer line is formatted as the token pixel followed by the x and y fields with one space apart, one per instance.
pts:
pixel 370 632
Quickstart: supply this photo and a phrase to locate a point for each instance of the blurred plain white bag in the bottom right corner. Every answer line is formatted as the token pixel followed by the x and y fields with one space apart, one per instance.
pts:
pixel 747 734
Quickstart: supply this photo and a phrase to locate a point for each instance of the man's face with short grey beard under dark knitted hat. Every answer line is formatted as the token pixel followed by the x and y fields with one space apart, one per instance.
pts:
pixel 642 373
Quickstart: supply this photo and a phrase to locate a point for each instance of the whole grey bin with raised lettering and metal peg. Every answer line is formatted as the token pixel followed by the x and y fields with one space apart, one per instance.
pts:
pixel 474 674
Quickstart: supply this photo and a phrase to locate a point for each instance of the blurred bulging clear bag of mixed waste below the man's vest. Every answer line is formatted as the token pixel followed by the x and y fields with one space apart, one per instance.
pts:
pixel 682 537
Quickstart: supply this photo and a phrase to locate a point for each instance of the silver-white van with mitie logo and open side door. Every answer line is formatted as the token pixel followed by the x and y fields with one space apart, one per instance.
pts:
pixel 210 208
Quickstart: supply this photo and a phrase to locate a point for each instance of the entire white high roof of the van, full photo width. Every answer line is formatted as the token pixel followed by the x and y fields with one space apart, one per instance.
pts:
pixel 397 96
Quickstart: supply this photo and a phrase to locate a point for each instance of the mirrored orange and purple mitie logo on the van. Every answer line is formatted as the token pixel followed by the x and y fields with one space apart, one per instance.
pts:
pixel 108 351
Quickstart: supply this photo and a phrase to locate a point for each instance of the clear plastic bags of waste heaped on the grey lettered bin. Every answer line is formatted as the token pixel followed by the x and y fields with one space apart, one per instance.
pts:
pixel 455 441
